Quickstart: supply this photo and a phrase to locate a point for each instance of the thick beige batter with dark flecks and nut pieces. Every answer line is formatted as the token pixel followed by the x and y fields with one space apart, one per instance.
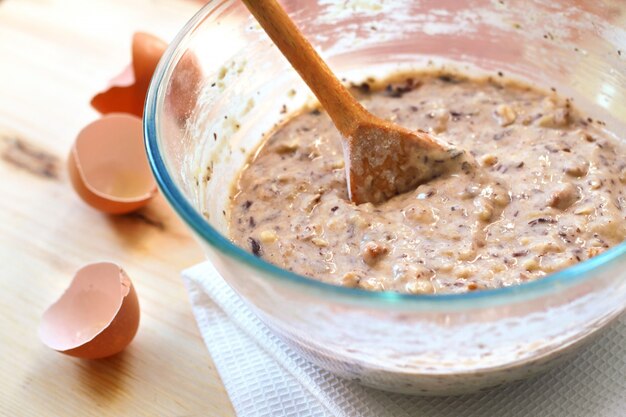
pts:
pixel 550 191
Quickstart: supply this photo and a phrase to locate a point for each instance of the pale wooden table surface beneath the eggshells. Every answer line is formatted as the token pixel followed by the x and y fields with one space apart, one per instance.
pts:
pixel 54 55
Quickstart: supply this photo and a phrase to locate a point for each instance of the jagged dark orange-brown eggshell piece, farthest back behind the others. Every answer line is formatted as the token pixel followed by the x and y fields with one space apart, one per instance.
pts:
pixel 128 97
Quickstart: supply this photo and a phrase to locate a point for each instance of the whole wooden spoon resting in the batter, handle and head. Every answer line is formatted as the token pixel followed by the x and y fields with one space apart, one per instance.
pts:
pixel 382 159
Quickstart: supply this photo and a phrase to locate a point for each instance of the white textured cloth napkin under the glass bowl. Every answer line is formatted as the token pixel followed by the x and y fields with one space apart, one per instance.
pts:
pixel 264 377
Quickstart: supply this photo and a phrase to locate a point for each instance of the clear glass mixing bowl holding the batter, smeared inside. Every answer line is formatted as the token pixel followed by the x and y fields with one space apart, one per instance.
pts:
pixel 222 85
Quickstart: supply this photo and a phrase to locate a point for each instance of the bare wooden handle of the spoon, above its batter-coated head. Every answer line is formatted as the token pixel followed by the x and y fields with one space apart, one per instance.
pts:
pixel 343 108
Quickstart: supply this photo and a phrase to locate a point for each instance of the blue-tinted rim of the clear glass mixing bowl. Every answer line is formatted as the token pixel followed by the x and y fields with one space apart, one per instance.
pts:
pixel 154 102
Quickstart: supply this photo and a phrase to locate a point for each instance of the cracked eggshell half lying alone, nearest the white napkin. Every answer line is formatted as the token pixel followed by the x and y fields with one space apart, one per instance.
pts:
pixel 96 317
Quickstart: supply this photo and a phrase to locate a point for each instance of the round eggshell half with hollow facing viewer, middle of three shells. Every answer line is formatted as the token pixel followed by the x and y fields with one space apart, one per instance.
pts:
pixel 108 166
